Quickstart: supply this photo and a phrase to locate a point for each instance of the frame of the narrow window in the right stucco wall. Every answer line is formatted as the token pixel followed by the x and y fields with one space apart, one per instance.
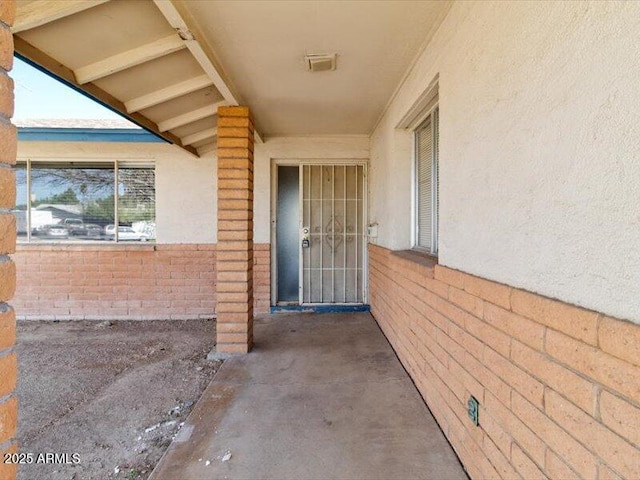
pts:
pixel 430 115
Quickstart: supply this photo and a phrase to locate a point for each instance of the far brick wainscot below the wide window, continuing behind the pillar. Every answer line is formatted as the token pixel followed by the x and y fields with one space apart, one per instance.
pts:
pixel 124 282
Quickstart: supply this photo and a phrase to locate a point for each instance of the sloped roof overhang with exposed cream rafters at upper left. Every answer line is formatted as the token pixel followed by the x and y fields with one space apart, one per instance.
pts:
pixel 145 60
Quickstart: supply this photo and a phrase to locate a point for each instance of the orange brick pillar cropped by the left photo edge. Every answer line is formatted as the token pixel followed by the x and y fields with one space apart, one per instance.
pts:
pixel 8 362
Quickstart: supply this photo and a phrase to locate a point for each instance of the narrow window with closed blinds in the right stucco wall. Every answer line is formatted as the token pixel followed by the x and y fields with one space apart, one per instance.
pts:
pixel 426 152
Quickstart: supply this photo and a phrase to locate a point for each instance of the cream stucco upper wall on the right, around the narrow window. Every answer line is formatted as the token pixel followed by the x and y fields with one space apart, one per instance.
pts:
pixel 539 171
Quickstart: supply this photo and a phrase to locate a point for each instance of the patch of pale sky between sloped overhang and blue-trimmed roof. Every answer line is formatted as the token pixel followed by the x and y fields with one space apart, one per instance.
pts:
pixel 38 96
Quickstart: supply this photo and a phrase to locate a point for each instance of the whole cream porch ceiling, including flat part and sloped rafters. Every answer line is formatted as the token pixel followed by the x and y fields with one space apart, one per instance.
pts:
pixel 168 64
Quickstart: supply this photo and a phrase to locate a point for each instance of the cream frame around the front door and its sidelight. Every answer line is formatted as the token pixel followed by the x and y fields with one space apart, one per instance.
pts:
pixel 275 162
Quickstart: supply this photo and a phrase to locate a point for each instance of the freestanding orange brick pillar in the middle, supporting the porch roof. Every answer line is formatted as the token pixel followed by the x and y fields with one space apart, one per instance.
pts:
pixel 234 255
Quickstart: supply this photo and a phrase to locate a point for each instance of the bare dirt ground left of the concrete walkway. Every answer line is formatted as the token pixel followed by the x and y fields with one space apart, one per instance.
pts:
pixel 114 393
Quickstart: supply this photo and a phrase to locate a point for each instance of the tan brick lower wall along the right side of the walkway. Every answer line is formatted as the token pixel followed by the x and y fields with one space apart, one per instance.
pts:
pixel 559 386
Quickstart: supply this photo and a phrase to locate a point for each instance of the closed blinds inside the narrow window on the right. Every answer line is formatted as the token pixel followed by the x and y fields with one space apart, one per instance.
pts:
pixel 425 177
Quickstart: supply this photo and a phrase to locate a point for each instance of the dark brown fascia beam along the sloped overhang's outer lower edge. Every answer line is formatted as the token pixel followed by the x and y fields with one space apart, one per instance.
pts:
pixel 65 74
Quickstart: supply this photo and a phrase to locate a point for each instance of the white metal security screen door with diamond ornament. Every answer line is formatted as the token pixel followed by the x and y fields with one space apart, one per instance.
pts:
pixel 332 222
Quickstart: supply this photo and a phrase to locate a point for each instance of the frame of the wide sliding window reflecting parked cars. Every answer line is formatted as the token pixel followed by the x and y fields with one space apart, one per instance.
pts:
pixel 117 164
